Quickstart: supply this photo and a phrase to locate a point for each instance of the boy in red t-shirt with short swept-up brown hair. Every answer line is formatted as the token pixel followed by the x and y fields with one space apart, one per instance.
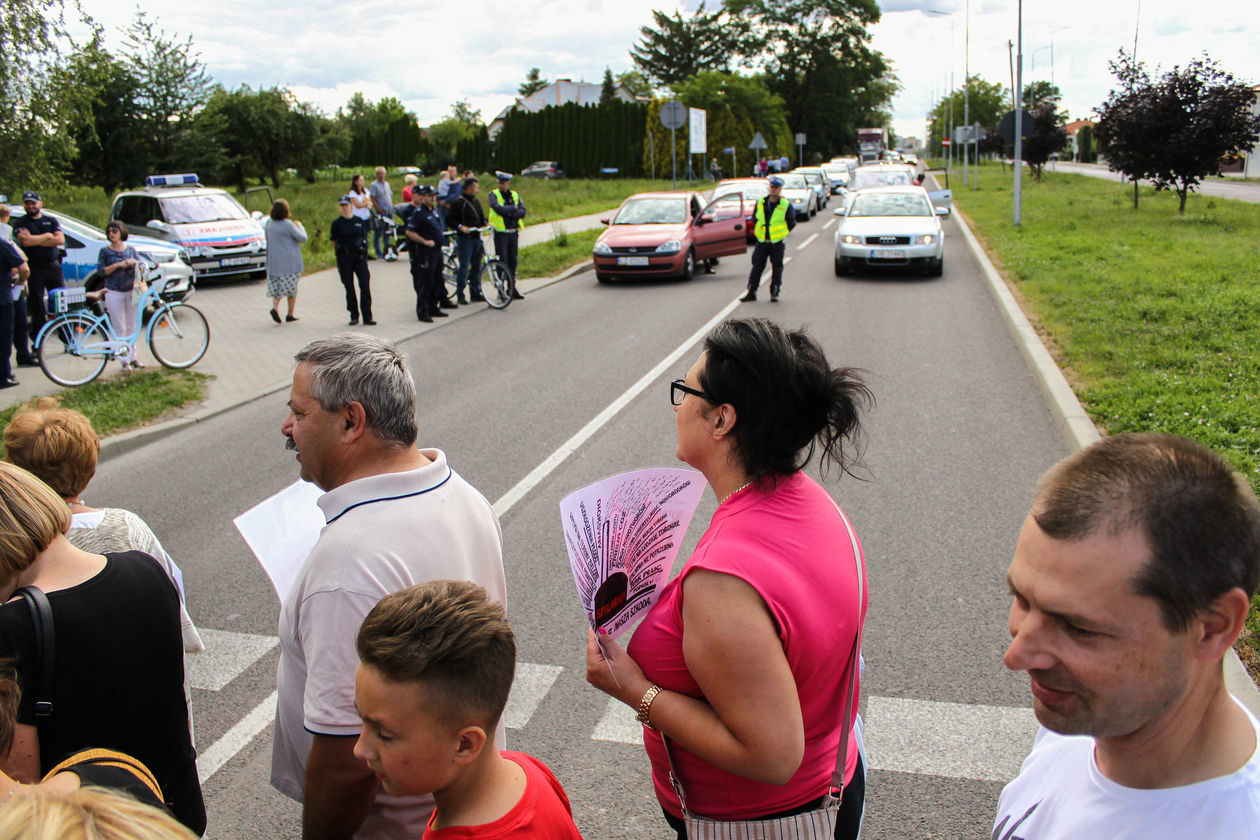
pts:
pixel 437 663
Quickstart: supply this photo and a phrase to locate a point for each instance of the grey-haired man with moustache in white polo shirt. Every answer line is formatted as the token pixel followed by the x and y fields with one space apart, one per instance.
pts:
pixel 396 516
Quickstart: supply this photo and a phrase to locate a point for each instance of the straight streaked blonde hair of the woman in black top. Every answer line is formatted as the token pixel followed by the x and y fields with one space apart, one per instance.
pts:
pixel 32 516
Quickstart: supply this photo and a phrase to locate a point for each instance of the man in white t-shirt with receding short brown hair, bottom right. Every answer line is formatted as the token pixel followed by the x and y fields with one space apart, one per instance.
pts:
pixel 1131 582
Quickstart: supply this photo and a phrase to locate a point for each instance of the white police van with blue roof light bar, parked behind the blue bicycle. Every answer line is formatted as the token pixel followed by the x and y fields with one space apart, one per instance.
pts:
pixel 219 236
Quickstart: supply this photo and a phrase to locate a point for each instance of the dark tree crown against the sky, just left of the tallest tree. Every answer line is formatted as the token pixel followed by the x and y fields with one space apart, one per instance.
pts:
pixel 681 48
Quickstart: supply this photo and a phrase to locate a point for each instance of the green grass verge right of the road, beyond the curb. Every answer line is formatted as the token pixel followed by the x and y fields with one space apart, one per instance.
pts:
pixel 1155 318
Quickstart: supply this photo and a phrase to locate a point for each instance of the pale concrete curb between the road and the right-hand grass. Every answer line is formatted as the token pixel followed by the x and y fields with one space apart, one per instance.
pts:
pixel 1070 416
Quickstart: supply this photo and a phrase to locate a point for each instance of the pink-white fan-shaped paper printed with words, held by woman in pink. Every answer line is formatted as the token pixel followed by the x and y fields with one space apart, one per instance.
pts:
pixel 623 535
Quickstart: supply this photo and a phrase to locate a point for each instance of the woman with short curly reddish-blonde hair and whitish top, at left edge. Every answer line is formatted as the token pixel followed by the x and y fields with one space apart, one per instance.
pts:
pixel 60 448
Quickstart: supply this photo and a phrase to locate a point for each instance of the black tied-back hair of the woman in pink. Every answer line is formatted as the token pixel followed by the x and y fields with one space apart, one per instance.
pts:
pixel 787 399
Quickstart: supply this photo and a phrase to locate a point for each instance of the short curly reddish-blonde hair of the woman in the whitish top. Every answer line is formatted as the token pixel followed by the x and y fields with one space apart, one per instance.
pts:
pixel 57 445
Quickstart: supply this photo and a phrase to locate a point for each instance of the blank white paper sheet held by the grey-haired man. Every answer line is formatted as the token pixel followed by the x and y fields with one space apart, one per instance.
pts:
pixel 282 532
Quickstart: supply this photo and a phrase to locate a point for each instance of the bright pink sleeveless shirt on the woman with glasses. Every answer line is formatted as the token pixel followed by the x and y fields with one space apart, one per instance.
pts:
pixel 791 545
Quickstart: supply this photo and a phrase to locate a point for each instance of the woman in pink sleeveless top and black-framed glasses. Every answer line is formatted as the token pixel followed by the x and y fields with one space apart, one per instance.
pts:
pixel 743 664
